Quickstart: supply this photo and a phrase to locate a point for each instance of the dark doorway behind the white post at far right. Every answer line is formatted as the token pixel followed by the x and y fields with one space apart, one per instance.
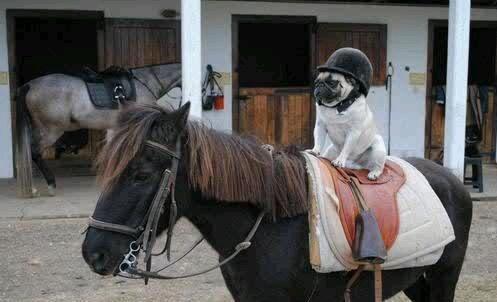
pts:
pixel 482 101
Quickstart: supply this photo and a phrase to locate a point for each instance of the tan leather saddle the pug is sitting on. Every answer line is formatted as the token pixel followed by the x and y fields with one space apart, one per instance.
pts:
pixel 380 195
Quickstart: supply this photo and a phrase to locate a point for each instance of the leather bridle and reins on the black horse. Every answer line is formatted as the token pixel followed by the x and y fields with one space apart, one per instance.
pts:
pixel 145 234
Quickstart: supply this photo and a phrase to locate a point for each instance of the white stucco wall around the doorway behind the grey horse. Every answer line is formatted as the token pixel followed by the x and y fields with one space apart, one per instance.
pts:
pixel 111 8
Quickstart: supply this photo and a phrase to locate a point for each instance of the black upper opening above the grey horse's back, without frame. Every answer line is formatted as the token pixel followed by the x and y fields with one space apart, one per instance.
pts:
pixel 54 45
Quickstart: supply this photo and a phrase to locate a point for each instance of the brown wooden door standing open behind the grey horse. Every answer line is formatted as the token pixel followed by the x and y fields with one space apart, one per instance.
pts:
pixel 134 43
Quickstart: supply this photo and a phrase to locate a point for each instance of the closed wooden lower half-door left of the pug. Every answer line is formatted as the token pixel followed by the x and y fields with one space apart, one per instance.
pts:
pixel 278 116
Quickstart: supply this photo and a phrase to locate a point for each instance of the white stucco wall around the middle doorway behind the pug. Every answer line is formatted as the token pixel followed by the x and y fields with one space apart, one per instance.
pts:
pixel 406 46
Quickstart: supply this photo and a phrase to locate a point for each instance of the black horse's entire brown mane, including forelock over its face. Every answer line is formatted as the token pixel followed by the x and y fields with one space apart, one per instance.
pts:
pixel 223 167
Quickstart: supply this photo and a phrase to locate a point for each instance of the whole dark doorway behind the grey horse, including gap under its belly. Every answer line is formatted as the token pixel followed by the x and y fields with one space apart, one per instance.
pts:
pixel 43 42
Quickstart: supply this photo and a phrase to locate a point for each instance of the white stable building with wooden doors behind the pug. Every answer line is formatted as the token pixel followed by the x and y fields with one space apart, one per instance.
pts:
pixel 266 54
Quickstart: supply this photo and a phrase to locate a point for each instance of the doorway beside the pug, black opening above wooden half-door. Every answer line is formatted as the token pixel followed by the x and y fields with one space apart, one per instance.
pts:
pixel 273 58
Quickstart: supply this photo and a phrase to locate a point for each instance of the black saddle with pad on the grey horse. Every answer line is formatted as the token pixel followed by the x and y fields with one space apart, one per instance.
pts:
pixel 110 87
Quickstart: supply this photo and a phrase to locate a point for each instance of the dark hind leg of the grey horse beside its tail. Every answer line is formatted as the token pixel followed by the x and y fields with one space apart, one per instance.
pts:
pixel 39 143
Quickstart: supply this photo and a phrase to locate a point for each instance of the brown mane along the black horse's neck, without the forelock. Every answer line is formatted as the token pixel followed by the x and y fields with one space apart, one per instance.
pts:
pixel 237 169
